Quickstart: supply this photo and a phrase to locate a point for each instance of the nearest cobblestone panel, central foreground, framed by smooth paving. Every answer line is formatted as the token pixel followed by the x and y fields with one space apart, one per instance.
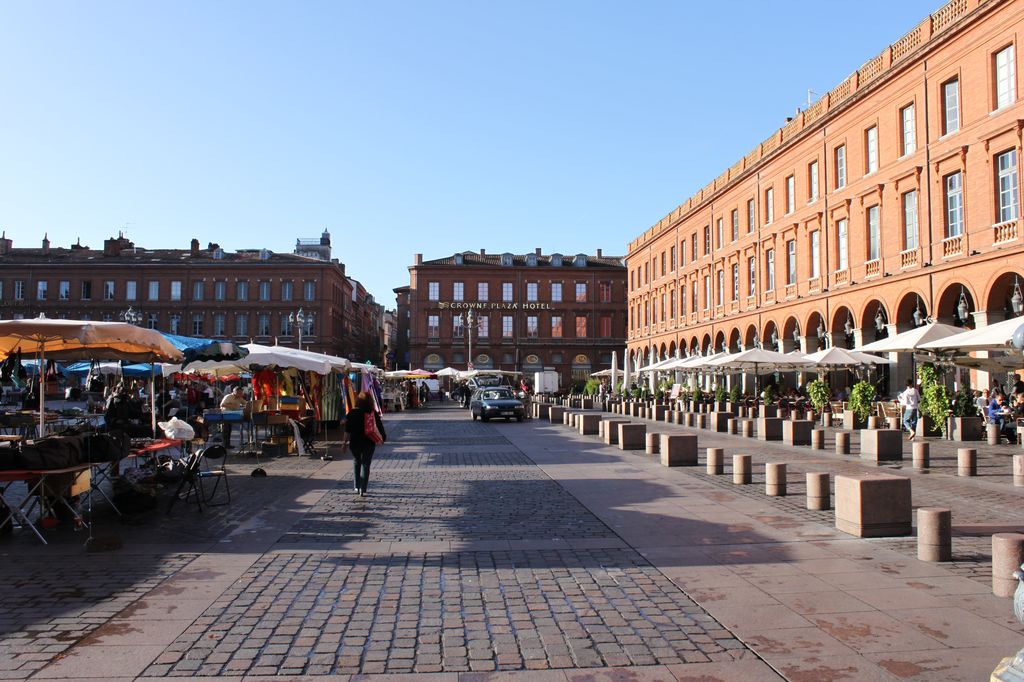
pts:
pixel 295 614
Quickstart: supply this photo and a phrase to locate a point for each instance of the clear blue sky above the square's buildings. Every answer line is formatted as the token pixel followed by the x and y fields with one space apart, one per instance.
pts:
pixel 402 127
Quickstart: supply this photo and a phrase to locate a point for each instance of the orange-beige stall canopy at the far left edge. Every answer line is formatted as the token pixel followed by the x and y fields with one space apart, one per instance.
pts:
pixel 86 340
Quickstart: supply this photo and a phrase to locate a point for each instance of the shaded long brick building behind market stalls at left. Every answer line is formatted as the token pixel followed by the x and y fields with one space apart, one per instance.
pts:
pixel 246 295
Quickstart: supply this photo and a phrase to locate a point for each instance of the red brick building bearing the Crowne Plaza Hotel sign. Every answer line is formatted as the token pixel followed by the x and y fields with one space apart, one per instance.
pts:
pixel 530 312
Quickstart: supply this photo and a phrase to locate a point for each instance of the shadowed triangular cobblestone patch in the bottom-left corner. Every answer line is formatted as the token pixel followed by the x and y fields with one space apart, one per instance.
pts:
pixel 50 606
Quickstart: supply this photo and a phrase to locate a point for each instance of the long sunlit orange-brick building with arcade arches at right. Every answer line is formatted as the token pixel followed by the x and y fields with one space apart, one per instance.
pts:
pixel 892 200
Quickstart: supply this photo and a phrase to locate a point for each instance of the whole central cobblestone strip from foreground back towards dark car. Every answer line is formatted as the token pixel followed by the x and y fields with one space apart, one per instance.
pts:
pixel 344 613
